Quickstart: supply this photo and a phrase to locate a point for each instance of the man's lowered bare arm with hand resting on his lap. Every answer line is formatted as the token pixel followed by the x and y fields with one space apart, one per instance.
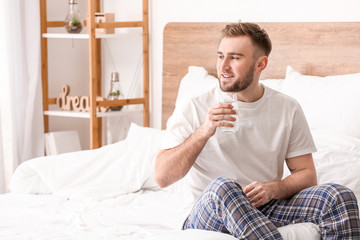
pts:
pixel 303 175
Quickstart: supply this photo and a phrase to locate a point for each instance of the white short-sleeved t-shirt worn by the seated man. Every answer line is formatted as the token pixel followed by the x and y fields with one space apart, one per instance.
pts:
pixel 270 130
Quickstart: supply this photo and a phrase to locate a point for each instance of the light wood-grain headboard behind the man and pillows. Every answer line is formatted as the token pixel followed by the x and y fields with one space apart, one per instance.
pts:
pixel 325 48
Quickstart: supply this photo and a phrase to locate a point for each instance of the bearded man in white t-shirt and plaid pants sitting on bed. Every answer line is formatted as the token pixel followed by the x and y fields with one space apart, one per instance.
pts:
pixel 238 176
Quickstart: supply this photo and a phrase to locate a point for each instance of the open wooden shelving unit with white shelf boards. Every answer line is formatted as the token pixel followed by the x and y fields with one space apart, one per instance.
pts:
pixel 94 68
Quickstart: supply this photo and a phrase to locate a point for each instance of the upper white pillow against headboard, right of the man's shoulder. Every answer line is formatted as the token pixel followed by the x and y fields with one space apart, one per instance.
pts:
pixel 331 103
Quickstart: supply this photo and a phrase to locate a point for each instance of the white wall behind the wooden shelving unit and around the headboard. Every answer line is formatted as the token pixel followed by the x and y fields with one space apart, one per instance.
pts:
pixel 123 55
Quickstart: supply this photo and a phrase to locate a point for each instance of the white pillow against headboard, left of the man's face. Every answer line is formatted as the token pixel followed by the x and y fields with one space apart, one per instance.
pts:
pixel 194 81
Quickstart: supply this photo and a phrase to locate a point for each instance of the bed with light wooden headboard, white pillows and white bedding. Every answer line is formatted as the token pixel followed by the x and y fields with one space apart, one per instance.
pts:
pixel 110 192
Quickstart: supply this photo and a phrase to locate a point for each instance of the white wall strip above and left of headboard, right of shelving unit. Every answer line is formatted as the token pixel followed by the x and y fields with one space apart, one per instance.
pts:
pixel 164 11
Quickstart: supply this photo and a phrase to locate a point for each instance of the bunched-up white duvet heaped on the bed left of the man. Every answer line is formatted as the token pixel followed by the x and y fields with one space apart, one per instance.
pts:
pixel 119 168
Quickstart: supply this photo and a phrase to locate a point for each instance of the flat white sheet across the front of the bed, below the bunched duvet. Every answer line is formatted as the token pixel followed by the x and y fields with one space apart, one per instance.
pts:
pixel 147 215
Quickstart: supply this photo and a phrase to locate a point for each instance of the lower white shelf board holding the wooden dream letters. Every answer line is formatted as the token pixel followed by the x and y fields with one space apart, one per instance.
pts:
pixel 59 113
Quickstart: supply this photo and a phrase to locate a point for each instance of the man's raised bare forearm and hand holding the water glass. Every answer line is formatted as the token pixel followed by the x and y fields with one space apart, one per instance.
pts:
pixel 173 164
